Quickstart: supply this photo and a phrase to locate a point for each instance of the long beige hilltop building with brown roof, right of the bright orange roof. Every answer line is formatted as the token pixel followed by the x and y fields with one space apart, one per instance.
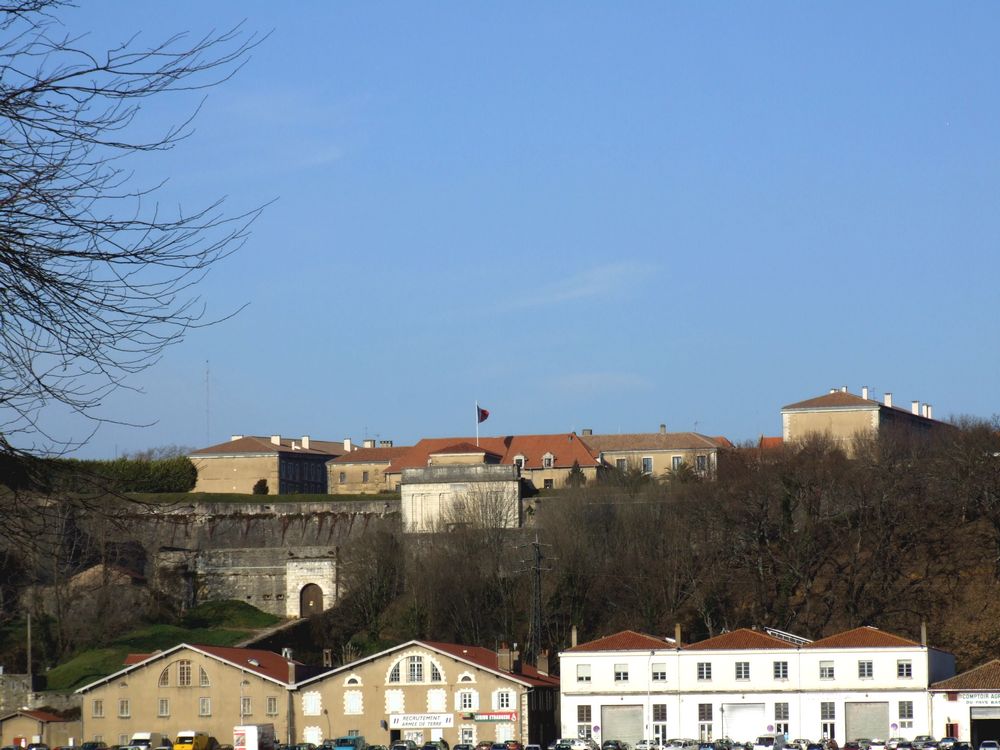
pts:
pixel 658 453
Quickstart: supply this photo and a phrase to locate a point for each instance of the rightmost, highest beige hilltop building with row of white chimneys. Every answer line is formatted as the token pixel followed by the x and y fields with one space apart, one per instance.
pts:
pixel 843 417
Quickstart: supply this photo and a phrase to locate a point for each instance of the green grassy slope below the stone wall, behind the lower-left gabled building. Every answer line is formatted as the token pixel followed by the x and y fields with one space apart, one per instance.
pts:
pixel 213 623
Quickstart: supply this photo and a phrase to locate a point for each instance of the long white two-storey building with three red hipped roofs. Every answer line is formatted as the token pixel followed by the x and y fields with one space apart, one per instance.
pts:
pixel 860 683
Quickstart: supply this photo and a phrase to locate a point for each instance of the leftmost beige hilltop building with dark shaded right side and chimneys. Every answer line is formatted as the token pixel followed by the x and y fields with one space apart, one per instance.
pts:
pixel 287 465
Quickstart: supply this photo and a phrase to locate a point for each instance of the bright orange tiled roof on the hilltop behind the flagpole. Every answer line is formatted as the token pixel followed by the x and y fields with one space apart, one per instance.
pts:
pixel 565 449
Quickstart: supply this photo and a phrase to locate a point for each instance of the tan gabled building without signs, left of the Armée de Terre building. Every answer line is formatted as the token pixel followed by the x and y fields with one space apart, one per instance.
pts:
pixel 202 688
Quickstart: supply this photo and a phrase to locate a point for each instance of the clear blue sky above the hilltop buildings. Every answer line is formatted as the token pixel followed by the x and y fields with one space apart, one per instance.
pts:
pixel 583 215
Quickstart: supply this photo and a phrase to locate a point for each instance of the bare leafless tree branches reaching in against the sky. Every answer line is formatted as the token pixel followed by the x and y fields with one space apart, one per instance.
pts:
pixel 96 278
